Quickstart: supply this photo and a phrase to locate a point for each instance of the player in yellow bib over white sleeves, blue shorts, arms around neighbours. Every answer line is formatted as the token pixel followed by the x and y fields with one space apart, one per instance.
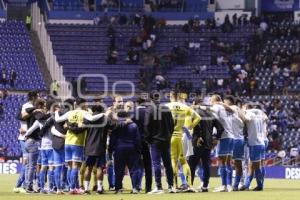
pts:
pixel 74 143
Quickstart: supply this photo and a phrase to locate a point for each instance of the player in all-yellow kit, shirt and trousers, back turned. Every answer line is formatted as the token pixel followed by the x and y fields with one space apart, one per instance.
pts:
pixel 180 113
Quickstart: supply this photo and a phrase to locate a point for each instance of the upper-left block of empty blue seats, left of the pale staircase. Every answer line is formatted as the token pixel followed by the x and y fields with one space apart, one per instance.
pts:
pixel 17 54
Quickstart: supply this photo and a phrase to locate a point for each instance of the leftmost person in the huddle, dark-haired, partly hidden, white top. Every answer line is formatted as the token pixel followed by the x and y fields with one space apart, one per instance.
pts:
pixel 24 118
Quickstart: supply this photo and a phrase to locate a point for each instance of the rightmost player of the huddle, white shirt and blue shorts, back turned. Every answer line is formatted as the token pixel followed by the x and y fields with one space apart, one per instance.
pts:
pixel 255 120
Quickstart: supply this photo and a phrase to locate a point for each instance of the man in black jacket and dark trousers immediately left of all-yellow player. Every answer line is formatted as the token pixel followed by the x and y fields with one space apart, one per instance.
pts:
pixel 158 127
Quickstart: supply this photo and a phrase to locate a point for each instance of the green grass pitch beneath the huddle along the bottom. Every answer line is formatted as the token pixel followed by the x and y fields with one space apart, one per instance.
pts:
pixel 274 190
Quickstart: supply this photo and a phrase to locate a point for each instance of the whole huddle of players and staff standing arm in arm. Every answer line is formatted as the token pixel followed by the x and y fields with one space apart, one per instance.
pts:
pixel 67 145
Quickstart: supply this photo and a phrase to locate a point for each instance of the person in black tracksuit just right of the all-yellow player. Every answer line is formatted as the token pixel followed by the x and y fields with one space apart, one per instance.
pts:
pixel 203 143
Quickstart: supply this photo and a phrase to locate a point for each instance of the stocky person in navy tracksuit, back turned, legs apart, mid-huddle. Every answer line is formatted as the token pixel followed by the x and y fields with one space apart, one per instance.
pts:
pixel 125 143
